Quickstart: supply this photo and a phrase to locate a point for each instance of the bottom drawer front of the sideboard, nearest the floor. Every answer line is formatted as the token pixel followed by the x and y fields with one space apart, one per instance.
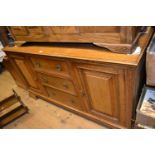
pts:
pixel 64 98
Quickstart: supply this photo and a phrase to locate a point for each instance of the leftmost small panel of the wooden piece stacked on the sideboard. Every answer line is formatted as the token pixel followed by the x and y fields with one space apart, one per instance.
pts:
pixel 19 30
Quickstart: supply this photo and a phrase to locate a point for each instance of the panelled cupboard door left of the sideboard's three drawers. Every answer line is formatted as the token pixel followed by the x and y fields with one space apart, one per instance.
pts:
pixel 23 66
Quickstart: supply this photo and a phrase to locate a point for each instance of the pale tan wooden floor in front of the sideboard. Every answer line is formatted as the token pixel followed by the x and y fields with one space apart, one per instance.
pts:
pixel 41 113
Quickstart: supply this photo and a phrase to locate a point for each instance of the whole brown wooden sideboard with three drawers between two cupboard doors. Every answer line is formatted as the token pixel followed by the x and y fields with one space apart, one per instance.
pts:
pixel 85 79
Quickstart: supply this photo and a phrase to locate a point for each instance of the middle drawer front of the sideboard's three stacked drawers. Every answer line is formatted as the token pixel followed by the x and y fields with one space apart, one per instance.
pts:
pixel 58 83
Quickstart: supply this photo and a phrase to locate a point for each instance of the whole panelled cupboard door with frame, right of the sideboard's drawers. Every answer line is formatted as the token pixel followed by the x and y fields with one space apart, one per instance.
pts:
pixel 102 87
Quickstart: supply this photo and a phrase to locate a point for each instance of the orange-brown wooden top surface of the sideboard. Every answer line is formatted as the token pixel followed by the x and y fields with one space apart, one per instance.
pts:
pixel 91 53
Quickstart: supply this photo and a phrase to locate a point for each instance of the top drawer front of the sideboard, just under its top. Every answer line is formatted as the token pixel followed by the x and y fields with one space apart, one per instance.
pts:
pixel 49 65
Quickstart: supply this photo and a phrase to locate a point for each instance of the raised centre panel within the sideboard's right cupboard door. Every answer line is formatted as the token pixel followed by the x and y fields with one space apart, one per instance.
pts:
pixel 103 94
